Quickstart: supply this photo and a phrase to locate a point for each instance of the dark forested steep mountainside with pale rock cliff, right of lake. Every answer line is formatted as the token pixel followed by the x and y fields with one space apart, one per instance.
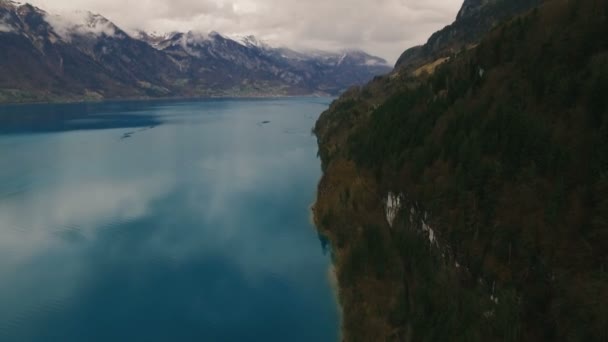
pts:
pixel 467 202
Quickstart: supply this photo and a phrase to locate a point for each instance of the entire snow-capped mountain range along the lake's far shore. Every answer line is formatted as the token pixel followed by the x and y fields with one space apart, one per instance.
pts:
pixel 45 57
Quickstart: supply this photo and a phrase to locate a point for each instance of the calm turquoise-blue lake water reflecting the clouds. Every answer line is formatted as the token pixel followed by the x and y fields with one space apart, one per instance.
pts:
pixel 162 221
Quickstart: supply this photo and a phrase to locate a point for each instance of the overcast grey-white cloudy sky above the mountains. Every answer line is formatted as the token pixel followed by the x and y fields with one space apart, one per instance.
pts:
pixel 381 27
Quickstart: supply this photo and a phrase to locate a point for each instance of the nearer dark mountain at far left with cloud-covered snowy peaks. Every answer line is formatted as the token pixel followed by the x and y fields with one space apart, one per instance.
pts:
pixel 39 63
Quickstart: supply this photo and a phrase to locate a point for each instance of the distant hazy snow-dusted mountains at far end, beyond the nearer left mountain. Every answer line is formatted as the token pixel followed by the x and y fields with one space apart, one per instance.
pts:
pixel 219 62
